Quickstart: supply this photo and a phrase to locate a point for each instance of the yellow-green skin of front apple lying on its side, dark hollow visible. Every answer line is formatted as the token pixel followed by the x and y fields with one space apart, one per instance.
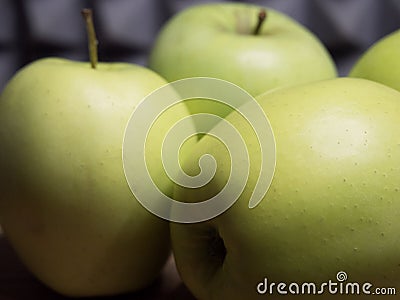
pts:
pixel 334 202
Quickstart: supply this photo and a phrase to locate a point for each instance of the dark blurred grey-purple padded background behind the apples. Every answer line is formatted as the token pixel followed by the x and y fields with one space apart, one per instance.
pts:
pixel 30 29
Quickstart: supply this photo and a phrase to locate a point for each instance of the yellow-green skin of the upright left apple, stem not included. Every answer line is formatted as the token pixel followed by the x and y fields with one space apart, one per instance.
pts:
pixel 65 205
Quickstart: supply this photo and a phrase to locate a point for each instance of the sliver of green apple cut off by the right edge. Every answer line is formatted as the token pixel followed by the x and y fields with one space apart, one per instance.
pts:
pixel 381 62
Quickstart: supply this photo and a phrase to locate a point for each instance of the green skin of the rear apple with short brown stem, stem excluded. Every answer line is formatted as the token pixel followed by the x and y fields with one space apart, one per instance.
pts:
pixel 216 40
